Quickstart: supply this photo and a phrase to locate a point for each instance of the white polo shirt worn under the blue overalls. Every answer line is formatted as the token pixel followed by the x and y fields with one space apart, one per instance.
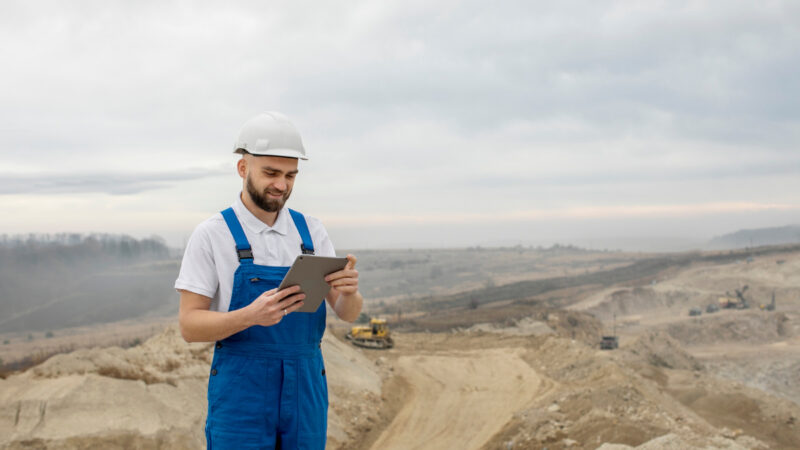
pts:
pixel 210 259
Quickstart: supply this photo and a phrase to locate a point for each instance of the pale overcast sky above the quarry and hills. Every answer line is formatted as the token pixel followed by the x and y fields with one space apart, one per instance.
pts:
pixel 427 123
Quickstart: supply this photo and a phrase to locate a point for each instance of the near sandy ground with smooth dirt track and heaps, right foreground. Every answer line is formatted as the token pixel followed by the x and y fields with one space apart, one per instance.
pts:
pixel 500 390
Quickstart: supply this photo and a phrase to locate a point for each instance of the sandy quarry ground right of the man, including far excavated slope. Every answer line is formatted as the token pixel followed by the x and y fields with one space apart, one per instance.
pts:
pixel 725 380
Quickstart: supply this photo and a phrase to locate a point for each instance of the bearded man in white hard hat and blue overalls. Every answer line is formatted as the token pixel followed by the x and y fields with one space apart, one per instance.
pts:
pixel 267 385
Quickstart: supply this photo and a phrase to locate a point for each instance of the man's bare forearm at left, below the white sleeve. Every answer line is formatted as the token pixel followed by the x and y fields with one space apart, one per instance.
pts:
pixel 199 325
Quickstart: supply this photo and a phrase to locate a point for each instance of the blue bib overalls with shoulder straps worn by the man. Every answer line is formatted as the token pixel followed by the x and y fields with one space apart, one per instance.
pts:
pixel 267 387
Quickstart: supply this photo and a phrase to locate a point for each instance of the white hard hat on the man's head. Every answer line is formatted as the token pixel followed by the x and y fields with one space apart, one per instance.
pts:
pixel 270 134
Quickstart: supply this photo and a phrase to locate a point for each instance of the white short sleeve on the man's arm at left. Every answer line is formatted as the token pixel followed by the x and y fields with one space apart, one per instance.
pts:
pixel 198 272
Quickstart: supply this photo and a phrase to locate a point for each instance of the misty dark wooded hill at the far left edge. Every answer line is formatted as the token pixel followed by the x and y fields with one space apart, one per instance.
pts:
pixel 49 282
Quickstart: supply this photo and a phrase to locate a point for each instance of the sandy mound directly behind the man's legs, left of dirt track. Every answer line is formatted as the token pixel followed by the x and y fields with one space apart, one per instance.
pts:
pixel 151 396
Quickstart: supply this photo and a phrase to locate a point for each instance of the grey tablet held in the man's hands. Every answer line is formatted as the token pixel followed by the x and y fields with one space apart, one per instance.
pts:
pixel 309 272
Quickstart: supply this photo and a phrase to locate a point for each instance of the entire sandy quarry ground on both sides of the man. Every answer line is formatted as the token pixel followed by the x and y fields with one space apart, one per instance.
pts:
pixel 534 380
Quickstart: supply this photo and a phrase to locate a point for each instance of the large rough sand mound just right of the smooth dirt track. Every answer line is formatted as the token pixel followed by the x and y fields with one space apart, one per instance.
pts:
pixel 599 398
